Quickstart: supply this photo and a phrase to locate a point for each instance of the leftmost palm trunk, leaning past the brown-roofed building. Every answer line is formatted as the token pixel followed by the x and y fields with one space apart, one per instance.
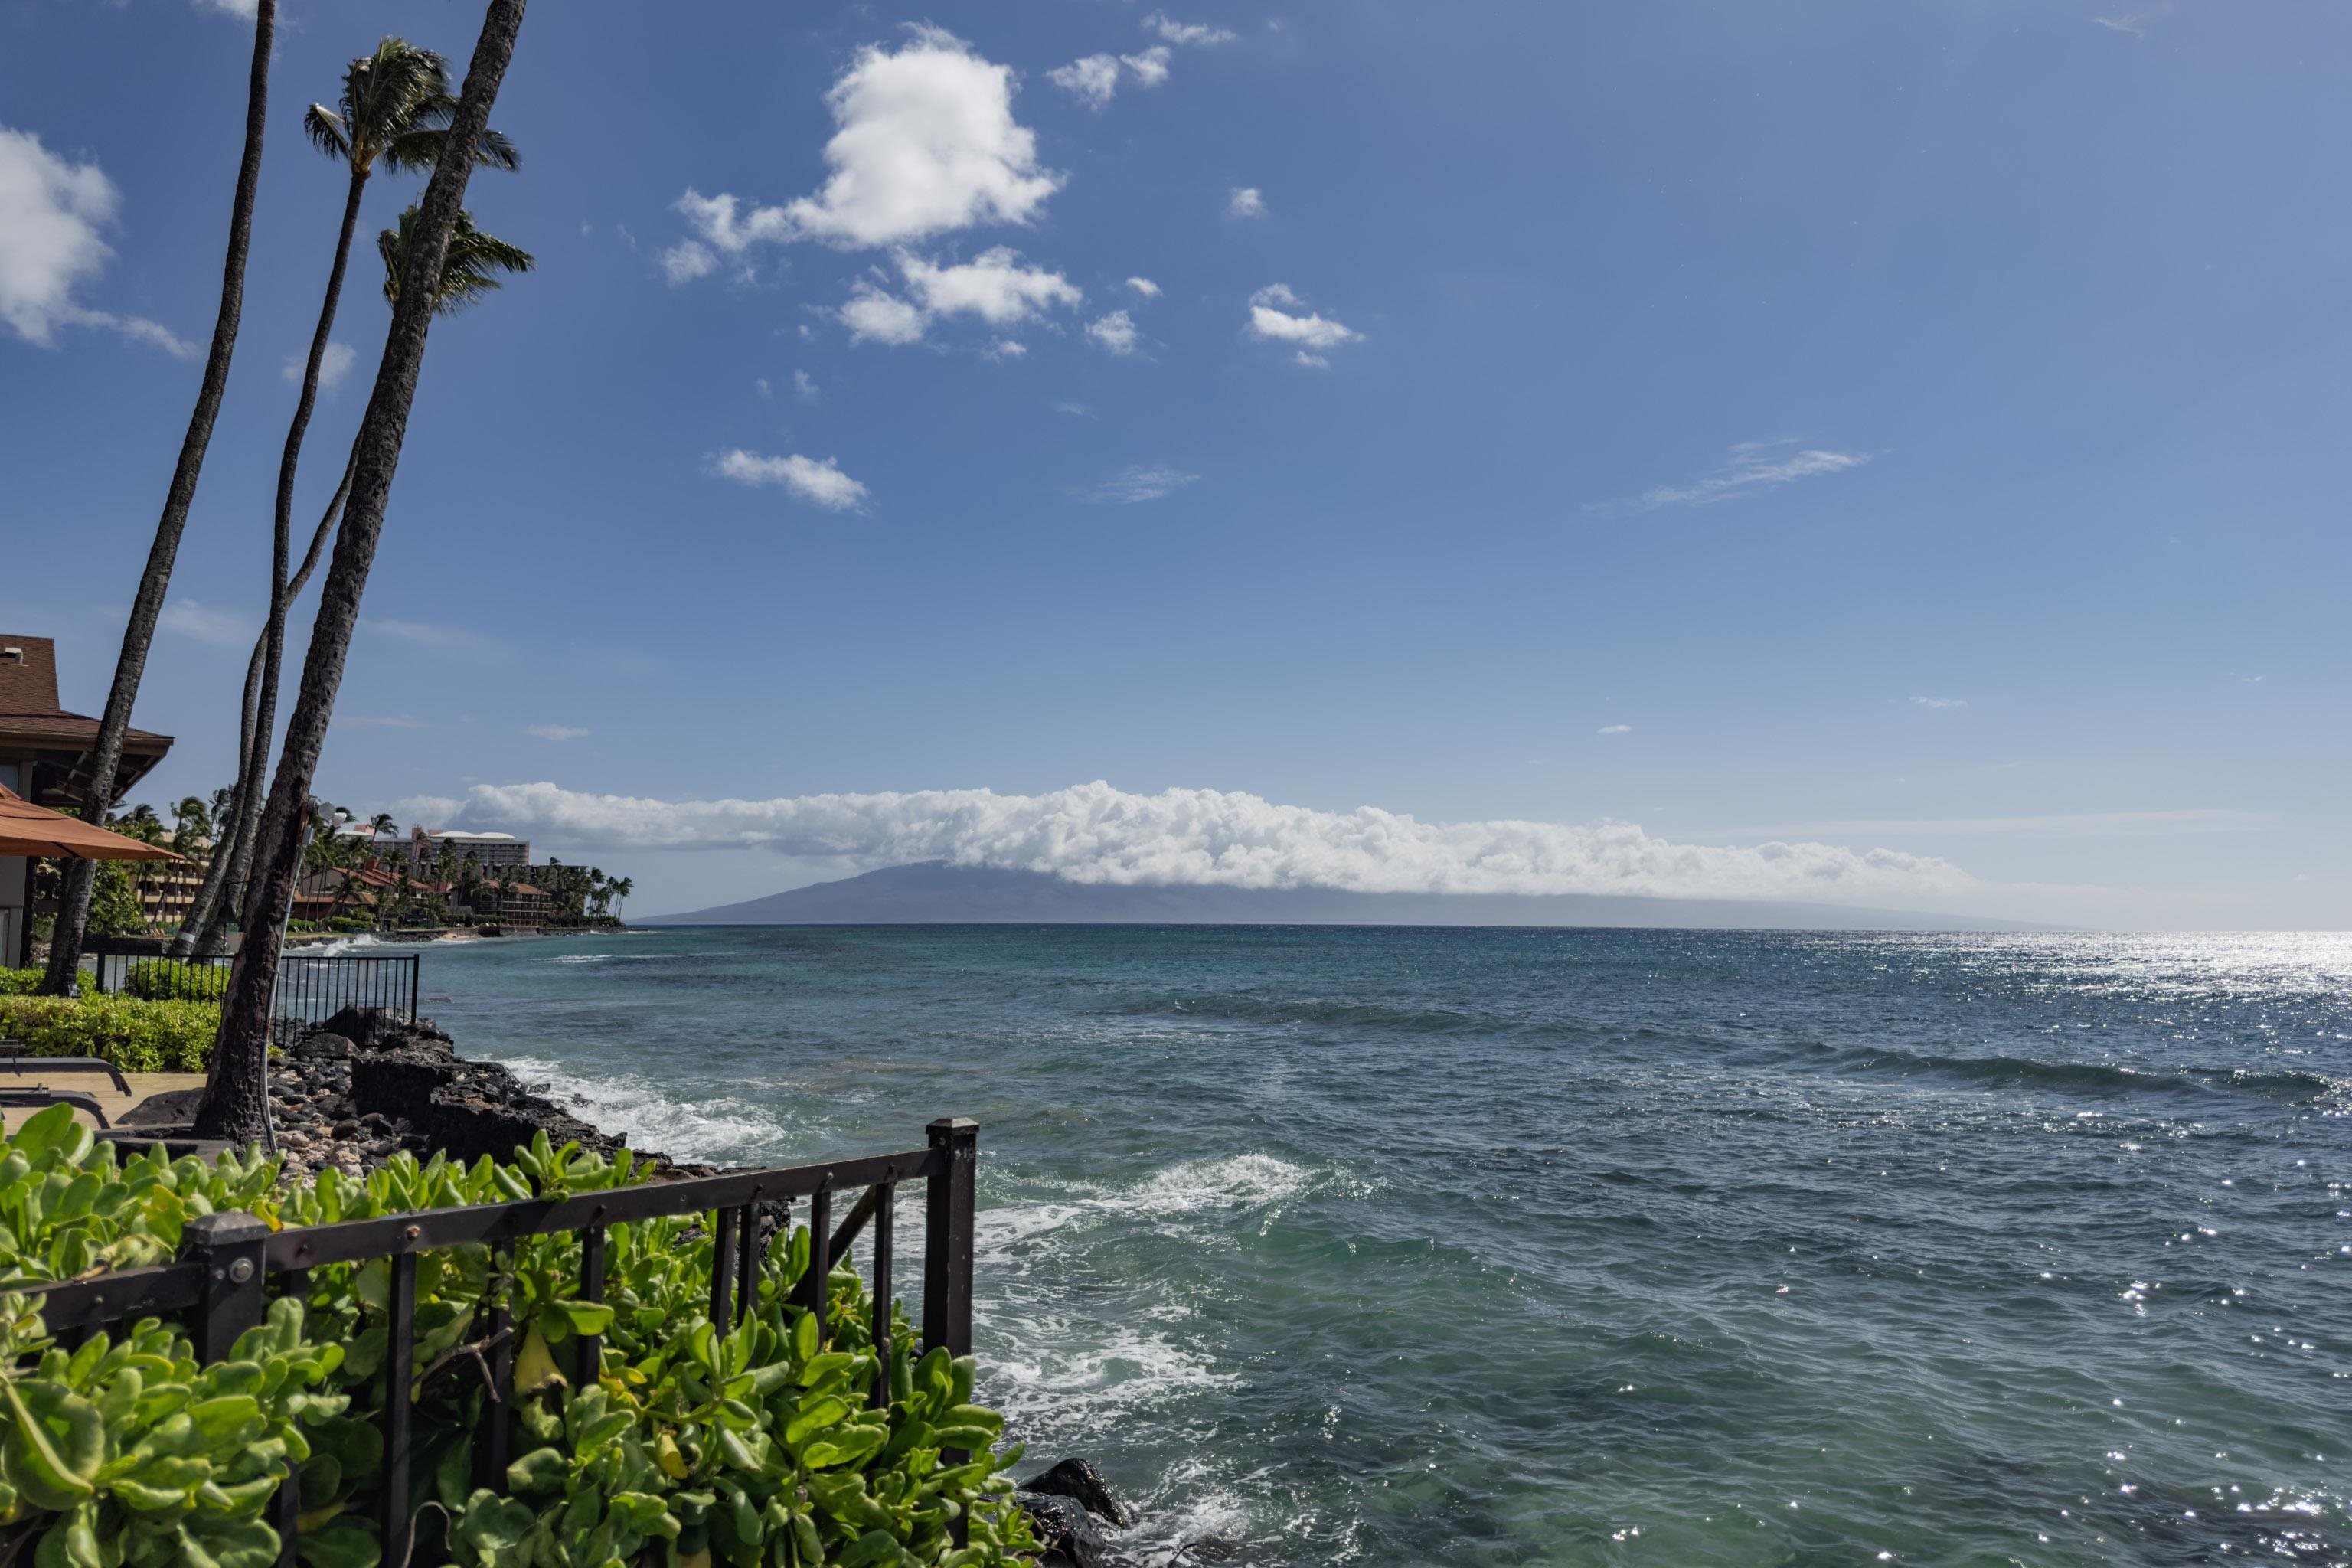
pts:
pixel 140 636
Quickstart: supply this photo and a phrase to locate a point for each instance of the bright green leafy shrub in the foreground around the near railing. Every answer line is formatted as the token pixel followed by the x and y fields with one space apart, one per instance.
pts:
pixel 681 1447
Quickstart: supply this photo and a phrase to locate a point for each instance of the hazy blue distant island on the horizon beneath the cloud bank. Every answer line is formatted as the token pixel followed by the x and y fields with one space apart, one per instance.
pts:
pixel 940 894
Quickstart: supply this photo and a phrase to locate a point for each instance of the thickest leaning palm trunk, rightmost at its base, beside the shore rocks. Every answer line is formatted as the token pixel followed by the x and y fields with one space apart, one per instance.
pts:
pixel 239 1090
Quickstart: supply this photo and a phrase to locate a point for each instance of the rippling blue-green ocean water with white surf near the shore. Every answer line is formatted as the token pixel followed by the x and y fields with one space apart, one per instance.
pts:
pixel 1575 1247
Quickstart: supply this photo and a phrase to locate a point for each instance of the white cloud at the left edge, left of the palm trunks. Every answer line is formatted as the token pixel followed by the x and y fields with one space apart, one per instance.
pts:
pixel 51 246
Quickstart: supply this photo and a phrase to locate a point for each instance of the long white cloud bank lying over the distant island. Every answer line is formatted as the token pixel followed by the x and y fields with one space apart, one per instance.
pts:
pixel 1201 838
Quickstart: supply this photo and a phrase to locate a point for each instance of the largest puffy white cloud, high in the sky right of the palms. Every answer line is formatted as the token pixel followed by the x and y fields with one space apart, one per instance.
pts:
pixel 926 142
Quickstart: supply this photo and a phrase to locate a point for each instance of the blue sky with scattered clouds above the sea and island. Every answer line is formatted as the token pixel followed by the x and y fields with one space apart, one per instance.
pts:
pixel 1906 429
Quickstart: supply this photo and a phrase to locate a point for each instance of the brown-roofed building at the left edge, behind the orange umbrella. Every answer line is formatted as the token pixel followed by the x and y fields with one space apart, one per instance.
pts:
pixel 46 760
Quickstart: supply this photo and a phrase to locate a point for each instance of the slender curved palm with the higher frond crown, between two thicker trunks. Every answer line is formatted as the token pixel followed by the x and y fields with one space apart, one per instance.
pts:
pixel 396 112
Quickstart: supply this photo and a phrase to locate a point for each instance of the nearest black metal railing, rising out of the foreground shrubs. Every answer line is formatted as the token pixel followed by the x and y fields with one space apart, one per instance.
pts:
pixel 222 1280
